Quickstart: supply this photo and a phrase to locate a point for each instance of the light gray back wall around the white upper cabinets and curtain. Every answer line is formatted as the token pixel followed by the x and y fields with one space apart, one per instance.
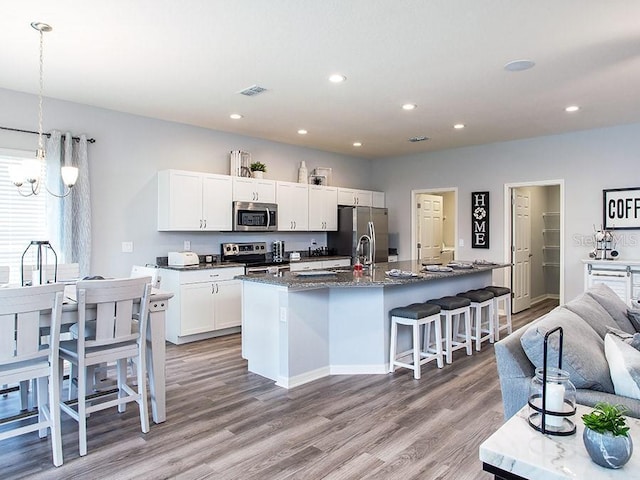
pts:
pixel 128 152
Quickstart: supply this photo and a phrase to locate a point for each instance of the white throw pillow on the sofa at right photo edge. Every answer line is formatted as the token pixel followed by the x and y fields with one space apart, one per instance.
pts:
pixel 624 366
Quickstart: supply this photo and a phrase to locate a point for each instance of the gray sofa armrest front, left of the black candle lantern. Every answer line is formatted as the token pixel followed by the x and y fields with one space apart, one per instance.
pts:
pixel 515 372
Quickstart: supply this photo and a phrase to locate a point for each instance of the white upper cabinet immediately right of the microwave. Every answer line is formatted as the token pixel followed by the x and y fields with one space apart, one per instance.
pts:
pixel 293 206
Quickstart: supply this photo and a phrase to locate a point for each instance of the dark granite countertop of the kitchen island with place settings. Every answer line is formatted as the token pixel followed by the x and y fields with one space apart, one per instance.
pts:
pixel 344 277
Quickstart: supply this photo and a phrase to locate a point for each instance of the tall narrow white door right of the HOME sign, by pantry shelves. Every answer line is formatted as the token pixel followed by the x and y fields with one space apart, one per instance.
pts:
pixel 521 250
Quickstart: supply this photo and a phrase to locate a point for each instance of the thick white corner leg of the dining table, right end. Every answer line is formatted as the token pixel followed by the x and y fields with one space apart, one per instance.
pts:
pixel 156 364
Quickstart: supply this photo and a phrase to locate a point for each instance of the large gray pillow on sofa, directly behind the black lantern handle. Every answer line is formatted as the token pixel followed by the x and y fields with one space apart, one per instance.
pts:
pixel 583 349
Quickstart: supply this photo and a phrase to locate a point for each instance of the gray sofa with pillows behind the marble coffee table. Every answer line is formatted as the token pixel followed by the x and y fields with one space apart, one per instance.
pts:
pixel 585 321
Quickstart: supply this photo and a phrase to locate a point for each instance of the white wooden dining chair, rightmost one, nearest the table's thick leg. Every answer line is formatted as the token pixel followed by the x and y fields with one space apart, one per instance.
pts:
pixel 112 337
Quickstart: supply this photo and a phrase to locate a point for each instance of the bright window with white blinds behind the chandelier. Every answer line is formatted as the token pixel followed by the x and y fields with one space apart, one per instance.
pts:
pixel 22 219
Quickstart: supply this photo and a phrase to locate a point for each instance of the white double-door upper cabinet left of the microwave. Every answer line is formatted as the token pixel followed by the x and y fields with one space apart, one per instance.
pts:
pixel 191 201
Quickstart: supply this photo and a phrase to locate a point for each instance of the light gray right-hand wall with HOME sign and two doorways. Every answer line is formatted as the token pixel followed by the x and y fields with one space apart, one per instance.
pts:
pixel 588 161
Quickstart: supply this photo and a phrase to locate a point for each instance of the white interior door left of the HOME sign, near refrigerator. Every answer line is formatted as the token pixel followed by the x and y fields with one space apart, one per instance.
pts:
pixel 430 224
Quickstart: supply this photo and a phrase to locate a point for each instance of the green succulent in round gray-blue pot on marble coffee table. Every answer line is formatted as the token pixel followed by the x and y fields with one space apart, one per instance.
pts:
pixel 606 435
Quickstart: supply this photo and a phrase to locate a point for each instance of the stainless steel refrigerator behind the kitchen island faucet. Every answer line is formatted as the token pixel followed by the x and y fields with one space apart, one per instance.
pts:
pixel 353 222
